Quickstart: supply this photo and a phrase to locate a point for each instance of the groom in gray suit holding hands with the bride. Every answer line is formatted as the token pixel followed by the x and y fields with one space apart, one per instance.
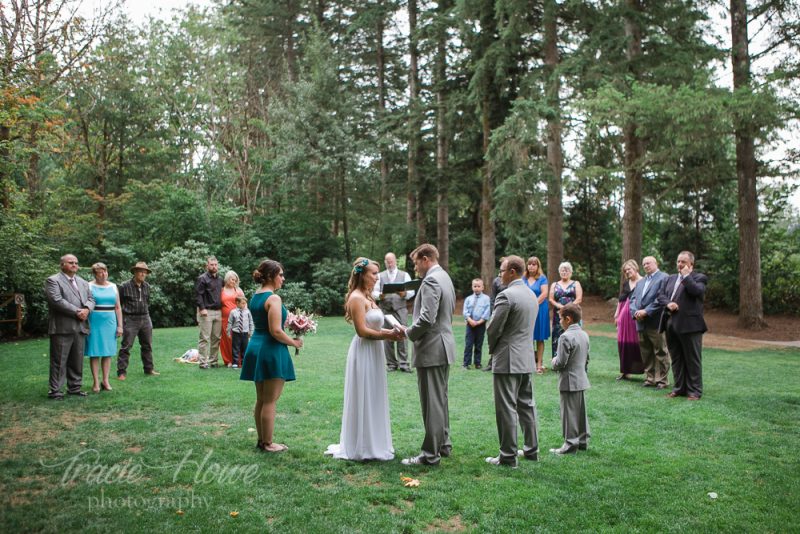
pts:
pixel 431 332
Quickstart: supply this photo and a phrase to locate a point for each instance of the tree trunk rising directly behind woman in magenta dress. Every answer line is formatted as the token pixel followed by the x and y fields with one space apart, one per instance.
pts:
pixel 632 219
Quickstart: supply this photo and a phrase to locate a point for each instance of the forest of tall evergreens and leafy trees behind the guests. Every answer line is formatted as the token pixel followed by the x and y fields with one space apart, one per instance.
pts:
pixel 315 131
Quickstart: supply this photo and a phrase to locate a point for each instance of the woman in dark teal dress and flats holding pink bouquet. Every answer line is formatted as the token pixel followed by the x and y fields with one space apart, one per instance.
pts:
pixel 267 361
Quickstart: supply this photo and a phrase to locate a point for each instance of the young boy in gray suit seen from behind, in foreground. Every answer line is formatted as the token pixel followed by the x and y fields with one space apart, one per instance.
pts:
pixel 571 362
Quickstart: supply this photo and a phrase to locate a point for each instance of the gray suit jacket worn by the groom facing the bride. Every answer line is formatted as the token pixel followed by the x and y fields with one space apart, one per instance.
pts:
pixel 431 327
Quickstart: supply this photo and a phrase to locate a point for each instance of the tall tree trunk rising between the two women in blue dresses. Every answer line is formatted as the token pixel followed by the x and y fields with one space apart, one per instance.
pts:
pixel 555 159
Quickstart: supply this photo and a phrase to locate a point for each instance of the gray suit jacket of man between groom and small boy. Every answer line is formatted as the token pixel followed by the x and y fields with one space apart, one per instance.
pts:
pixel 510 329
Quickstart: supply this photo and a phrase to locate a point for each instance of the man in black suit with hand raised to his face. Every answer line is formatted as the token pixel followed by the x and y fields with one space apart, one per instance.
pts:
pixel 682 320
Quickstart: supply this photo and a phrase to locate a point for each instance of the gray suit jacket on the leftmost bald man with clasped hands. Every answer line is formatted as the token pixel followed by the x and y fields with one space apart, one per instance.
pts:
pixel 64 302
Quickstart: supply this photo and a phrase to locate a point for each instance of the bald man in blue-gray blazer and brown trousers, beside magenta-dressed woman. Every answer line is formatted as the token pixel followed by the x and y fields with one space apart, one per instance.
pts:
pixel 646 311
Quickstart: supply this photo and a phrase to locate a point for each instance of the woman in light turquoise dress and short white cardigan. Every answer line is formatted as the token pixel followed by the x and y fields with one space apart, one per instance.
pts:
pixel 105 326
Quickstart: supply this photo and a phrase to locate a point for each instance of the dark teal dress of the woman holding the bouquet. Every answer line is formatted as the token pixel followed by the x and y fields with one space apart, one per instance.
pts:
pixel 266 357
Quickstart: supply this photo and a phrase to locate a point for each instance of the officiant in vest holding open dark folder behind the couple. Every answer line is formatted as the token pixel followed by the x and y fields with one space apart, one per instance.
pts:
pixel 394 304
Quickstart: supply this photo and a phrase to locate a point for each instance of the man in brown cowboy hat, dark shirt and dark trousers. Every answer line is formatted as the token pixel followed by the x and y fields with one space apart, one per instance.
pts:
pixel 134 296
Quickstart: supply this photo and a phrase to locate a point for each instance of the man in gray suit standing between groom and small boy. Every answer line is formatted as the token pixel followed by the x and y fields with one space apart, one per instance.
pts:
pixel 510 333
